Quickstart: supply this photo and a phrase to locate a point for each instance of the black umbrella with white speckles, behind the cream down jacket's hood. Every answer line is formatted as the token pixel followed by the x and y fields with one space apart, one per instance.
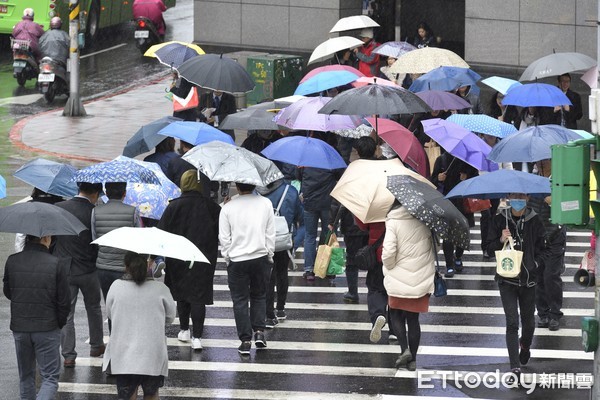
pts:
pixel 429 206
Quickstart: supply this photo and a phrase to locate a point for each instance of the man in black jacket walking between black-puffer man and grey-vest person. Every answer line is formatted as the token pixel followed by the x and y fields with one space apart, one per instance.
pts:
pixel 83 274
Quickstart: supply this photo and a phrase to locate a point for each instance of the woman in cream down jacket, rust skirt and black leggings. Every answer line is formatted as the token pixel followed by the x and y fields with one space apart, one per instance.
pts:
pixel 408 269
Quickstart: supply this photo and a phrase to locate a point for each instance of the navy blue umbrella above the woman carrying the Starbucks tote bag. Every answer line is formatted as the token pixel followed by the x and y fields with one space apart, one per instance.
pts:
pixel 500 184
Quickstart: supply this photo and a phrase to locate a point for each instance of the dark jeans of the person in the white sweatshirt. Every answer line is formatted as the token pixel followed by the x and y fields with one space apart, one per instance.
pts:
pixel 248 281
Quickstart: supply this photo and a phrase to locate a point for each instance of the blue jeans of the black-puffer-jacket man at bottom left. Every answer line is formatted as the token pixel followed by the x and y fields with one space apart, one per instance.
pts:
pixel 43 348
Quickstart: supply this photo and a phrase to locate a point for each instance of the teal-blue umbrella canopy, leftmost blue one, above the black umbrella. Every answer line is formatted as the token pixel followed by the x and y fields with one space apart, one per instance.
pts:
pixel 50 176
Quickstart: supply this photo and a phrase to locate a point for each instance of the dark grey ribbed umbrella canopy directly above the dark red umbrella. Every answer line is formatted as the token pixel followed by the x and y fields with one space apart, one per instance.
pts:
pixel 375 100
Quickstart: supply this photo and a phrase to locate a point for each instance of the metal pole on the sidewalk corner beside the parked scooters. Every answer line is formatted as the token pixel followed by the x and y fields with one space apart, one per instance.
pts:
pixel 74 106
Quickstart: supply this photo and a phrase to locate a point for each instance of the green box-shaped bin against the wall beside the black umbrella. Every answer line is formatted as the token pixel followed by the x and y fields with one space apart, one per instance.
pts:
pixel 275 76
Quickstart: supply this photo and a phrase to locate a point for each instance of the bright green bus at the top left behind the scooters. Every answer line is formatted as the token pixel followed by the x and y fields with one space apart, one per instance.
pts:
pixel 94 14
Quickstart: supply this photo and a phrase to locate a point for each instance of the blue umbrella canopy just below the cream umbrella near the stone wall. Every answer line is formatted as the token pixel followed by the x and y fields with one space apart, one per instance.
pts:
pixel 445 78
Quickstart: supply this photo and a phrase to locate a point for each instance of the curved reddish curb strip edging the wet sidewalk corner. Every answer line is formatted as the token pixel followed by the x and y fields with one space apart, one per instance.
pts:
pixel 15 134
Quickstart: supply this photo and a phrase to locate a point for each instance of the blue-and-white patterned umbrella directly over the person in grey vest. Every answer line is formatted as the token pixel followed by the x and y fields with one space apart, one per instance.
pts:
pixel 116 171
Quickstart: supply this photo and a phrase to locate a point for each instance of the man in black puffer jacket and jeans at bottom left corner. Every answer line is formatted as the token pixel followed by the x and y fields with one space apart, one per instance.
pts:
pixel 36 284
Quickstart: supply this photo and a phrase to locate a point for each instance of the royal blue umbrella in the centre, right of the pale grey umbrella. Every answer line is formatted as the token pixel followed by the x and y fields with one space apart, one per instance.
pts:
pixel 305 152
